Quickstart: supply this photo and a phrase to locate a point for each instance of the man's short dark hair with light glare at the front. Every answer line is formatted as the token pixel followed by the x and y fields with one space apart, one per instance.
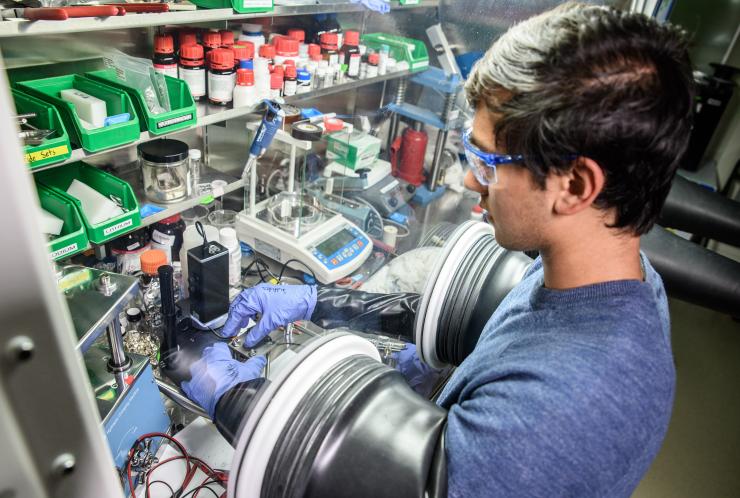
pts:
pixel 612 86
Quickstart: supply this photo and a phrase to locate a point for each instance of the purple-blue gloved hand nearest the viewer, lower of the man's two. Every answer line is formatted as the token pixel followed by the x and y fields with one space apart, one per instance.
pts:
pixel 216 372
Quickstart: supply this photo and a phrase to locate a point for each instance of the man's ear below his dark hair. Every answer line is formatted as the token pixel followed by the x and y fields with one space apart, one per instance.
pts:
pixel 579 187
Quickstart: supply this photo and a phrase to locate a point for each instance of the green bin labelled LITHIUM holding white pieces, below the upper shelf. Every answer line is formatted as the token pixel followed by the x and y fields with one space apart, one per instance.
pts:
pixel 60 179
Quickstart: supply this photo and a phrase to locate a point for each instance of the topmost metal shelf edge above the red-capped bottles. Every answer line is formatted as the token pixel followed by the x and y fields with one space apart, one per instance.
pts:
pixel 22 27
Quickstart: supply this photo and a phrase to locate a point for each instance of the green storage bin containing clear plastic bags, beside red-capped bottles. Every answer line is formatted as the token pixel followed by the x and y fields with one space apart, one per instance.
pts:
pixel 181 116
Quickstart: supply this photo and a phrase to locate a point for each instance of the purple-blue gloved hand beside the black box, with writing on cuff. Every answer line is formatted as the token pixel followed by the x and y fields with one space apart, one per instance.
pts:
pixel 278 304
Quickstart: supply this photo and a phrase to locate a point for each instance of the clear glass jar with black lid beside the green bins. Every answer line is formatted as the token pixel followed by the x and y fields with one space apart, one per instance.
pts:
pixel 165 168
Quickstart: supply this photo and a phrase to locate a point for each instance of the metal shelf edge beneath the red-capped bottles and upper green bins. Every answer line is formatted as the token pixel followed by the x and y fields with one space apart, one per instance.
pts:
pixel 209 114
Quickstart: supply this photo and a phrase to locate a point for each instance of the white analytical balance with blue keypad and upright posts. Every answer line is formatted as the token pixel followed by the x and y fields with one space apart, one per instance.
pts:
pixel 294 228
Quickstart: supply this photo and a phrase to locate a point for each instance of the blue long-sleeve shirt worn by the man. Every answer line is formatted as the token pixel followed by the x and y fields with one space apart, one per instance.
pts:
pixel 567 393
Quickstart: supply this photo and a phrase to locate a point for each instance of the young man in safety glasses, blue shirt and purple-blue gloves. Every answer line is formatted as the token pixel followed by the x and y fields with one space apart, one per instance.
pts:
pixel 582 115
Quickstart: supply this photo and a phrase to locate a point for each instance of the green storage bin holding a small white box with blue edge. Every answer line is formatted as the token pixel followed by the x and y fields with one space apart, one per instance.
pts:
pixel 117 102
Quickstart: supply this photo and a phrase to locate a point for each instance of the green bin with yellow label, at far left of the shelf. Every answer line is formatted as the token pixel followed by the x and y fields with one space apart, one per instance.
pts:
pixel 55 148
